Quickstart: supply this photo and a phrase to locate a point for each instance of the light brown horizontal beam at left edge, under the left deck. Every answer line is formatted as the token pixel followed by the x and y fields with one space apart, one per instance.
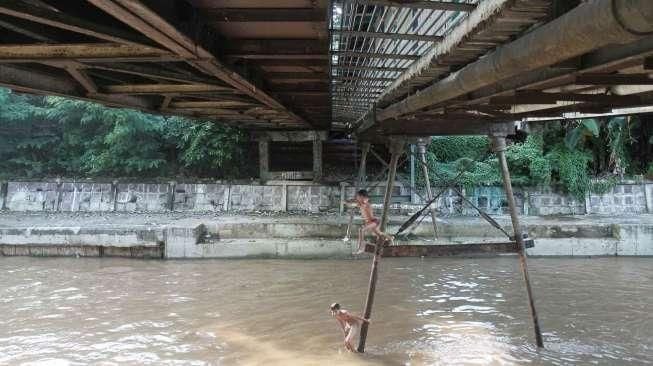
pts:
pixel 37 52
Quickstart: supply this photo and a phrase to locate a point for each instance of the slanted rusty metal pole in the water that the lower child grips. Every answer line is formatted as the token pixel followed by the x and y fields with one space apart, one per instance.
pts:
pixel 396 149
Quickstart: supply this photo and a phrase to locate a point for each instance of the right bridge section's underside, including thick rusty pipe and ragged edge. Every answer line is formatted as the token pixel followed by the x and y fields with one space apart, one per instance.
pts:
pixel 613 77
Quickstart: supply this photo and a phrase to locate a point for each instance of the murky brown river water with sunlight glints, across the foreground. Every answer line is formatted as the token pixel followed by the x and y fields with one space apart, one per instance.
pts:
pixel 439 312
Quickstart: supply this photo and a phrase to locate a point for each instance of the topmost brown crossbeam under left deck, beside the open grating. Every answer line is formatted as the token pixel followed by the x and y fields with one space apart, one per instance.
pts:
pixel 214 15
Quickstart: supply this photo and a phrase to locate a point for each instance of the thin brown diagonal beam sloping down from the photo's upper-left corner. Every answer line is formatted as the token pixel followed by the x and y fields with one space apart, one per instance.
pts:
pixel 41 15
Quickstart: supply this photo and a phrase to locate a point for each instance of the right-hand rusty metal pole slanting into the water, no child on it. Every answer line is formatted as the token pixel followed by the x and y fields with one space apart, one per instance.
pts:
pixel 499 146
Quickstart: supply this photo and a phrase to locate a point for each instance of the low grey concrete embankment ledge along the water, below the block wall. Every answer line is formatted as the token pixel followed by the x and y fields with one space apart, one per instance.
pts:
pixel 179 235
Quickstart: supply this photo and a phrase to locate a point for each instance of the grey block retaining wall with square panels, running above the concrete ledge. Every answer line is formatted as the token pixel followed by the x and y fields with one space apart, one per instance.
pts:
pixel 626 198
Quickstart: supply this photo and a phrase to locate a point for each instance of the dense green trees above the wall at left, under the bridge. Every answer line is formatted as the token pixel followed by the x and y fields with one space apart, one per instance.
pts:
pixel 59 136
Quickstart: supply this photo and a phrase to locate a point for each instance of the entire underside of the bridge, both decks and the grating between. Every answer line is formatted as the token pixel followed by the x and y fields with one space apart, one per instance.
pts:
pixel 372 67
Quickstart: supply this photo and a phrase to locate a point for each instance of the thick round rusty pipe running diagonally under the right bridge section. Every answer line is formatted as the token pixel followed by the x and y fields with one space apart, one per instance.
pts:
pixel 568 36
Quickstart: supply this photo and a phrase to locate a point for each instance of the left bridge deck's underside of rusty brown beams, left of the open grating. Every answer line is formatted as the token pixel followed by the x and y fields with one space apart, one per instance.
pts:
pixel 251 64
